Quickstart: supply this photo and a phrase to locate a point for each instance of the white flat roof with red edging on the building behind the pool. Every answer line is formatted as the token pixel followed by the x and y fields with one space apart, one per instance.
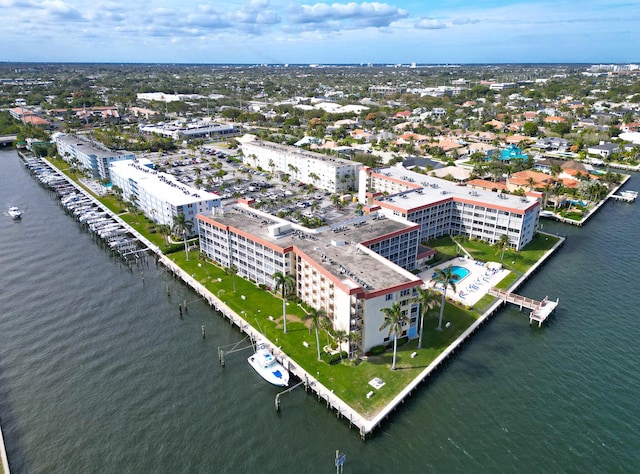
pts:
pixel 428 190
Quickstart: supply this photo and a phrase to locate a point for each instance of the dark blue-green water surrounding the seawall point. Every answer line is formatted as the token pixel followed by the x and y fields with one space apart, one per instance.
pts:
pixel 98 372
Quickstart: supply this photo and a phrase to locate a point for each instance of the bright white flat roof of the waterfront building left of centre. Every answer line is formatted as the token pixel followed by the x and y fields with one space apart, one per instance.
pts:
pixel 162 185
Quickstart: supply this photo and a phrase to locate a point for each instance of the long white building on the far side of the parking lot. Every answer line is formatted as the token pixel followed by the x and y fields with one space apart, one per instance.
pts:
pixel 325 172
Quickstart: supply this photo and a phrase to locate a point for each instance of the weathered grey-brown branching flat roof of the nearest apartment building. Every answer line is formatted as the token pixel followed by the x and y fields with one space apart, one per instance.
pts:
pixel 334 248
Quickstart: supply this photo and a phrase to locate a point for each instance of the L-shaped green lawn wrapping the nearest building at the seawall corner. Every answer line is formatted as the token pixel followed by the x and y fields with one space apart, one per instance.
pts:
pixel 348 380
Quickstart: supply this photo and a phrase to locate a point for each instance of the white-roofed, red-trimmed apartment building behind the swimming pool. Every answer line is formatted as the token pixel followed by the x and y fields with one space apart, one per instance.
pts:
pixel 441 207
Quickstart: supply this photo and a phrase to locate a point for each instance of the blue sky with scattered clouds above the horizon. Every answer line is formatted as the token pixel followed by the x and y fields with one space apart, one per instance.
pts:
pixel 279 31
